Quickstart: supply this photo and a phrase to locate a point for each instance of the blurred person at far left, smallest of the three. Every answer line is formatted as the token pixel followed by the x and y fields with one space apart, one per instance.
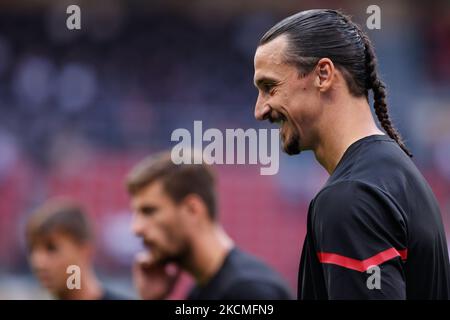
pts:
pixel 59 235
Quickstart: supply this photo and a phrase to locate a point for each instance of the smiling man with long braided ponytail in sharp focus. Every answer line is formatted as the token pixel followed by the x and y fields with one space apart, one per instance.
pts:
pixel 314 71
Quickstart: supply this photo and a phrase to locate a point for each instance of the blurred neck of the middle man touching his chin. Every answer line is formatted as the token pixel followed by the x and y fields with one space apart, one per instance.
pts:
pixel 209 251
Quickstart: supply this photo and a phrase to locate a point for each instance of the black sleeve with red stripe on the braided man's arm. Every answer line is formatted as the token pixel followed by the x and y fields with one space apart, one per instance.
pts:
pixel 360 238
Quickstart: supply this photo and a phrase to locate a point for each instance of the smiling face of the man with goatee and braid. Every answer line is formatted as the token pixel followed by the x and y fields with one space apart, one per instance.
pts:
pixel 286 96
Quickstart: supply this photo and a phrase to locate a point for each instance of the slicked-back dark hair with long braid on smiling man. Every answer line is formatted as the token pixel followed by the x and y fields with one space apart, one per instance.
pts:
pixel 315 34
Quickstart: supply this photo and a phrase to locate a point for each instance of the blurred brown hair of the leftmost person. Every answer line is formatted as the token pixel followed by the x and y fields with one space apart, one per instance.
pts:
pixel 59 215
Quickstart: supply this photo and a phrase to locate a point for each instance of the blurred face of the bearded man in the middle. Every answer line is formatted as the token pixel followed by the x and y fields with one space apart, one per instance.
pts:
pixel 159 221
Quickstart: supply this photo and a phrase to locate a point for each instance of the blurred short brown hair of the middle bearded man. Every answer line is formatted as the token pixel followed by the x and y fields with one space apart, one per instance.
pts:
pixel 179 180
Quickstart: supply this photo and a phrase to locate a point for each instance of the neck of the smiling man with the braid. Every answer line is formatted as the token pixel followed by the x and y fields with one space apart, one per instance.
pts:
pixel 352 123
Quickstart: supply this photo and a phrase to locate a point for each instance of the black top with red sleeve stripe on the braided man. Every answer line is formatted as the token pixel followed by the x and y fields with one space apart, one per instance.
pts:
pixel 376 209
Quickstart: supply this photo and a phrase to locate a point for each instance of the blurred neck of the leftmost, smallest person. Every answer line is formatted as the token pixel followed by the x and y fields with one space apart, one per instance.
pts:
pixel 90 289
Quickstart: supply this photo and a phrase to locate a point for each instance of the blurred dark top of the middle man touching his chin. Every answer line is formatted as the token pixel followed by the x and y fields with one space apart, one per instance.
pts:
pixel 242 277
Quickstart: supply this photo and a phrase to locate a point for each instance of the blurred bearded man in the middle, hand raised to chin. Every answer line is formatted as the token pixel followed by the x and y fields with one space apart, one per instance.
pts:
pixel 175 214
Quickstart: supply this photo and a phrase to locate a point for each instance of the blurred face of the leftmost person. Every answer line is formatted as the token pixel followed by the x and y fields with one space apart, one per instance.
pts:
pixel 50 255
